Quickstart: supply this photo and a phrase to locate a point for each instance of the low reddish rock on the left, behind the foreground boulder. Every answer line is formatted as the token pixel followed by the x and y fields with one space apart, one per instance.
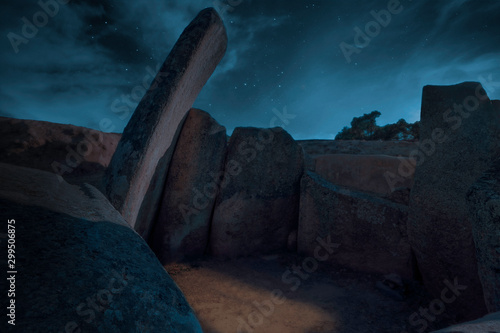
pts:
pixel 70 151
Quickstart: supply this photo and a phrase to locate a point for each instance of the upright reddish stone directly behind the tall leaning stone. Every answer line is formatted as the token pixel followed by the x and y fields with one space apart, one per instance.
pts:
pixel 193 181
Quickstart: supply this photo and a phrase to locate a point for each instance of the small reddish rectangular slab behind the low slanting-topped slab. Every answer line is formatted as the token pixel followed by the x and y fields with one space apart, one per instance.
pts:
pixel 367 173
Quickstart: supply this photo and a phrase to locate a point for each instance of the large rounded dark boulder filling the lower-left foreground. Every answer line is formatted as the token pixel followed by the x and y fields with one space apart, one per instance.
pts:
pixel 80 267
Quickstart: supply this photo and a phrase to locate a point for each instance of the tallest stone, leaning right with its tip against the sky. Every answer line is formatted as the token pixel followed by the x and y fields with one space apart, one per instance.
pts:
pixel 136 176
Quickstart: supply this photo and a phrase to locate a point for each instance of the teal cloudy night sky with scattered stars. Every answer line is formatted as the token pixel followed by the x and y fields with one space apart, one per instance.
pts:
pixel 89 61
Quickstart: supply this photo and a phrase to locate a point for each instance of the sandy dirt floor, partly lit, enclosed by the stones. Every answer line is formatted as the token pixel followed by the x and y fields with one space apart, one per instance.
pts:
pixel 263 295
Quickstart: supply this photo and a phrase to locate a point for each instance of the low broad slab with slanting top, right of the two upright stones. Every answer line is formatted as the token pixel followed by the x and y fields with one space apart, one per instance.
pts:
pixel 369 232
